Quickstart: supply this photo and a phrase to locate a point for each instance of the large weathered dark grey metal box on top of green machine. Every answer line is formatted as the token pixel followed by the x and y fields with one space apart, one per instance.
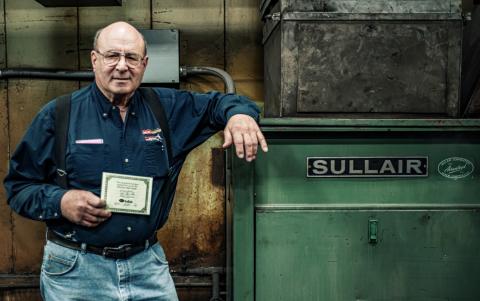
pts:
pixel 390 57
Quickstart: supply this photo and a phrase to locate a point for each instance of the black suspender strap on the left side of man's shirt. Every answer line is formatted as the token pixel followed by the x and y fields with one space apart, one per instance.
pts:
pixel 62 118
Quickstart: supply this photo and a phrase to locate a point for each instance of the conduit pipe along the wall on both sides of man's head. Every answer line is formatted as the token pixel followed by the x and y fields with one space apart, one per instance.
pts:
pixel 185 71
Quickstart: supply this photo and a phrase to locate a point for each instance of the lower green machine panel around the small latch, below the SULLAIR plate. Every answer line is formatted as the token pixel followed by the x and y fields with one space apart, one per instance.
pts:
pixel 326 255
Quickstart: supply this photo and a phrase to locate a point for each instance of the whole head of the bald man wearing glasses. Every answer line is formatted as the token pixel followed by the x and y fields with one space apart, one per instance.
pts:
pixel 119 62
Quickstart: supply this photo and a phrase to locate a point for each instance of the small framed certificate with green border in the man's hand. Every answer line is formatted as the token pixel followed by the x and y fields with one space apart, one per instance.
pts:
pixel 126 193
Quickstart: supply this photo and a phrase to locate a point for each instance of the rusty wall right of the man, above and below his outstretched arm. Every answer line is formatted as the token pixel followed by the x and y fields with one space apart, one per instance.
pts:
pixel 194 233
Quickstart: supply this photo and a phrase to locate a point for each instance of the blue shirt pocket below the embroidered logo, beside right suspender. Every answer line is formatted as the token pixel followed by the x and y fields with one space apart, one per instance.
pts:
pixel 156 162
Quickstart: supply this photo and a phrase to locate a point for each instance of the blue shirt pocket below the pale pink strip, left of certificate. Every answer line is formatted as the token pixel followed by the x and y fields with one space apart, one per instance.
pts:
pixel 86 162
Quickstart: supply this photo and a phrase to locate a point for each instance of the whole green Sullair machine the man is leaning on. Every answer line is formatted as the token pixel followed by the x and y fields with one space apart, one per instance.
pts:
pixel 357 209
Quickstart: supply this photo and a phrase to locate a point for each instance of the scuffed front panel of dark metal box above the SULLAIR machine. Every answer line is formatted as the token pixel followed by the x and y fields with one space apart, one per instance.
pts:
pixel 384 66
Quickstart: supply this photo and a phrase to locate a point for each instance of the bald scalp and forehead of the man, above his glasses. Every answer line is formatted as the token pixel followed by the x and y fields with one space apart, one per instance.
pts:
pixel 121 32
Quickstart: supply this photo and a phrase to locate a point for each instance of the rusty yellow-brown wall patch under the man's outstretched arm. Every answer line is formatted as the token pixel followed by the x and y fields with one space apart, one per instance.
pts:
pixel 194 234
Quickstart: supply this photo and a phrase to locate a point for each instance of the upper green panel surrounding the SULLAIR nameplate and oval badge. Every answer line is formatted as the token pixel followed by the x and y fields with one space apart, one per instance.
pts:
pixel 271 171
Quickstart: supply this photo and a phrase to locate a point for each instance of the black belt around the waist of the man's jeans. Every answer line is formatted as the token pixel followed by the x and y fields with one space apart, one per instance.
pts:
pixel 119 252
